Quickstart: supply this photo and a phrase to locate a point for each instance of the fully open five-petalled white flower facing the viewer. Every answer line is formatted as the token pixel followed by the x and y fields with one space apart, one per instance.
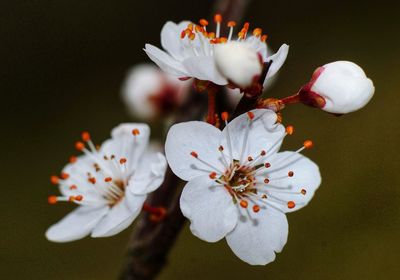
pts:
pixel 240 186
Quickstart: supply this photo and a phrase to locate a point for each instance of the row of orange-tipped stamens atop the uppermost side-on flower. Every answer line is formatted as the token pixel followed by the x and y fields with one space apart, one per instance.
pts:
pixel 200 30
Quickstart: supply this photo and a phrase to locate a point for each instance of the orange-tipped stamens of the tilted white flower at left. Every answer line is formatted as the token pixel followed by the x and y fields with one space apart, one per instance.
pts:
pixel 108 176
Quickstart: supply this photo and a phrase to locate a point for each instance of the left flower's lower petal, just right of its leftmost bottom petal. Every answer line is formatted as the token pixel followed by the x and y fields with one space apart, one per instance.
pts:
pixel 120 216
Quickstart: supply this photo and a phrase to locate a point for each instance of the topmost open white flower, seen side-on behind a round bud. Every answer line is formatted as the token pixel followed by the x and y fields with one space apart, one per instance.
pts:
pixel 189 49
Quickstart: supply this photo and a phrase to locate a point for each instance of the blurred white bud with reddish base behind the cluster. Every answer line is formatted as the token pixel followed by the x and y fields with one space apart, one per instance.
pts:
pixel 148 92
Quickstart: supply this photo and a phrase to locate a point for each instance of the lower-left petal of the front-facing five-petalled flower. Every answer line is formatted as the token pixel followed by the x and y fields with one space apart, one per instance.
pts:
pixel 210 209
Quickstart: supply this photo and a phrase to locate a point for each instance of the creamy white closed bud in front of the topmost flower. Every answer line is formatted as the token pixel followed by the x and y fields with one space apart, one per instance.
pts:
pixel 238 62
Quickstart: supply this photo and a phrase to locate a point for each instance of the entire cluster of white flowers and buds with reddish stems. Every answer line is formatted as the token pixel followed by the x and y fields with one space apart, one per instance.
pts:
pixel 240 186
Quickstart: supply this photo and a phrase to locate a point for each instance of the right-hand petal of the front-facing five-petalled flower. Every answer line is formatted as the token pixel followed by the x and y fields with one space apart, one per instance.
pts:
pixel 306 176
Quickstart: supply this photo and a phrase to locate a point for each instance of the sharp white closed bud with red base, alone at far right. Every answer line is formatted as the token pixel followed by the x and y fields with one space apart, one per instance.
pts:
pixel 343 86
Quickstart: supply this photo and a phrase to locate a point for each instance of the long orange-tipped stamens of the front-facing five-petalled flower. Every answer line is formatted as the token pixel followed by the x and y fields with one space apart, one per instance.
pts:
pixel 241 177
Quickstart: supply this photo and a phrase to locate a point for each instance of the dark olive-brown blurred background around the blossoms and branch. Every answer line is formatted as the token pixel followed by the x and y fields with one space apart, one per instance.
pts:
pixel 61 69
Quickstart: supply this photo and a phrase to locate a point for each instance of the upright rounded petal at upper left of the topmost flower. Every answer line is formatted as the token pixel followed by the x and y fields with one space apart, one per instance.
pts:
pixel 170 38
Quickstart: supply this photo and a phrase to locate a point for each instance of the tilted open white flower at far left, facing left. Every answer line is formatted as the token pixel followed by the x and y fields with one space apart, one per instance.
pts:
pixel 109 183
